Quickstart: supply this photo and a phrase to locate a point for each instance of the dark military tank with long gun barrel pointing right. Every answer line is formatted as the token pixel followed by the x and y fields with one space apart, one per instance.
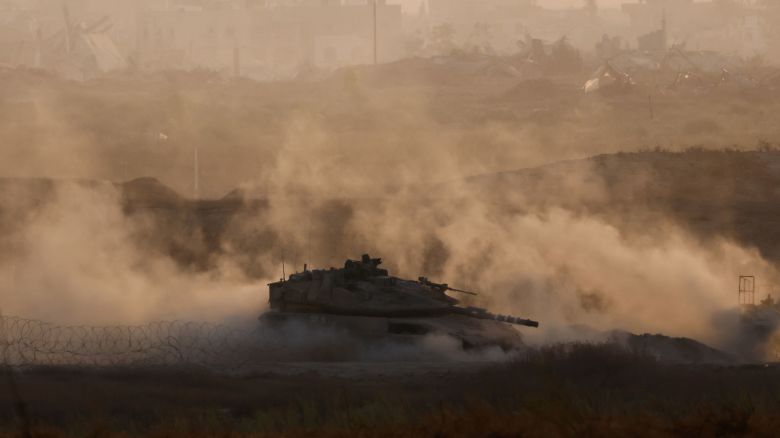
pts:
pixel 364 299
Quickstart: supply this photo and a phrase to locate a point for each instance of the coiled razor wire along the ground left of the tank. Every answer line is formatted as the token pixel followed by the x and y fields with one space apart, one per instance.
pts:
pixel 30 342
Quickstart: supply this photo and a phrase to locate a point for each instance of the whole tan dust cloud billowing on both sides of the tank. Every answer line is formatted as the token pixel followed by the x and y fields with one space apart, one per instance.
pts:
pixel 396 193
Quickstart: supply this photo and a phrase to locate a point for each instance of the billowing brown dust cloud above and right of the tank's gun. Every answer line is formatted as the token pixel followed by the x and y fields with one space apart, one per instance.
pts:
pixel 578 273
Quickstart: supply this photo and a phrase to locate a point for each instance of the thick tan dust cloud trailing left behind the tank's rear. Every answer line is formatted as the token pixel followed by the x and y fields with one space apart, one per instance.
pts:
pixel 75 261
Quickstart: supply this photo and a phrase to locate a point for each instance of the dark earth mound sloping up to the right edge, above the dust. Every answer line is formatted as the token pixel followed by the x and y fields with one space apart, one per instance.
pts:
pixel 713 194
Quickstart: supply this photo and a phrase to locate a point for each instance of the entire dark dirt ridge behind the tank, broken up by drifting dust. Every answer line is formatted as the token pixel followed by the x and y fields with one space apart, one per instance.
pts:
pixel 711 194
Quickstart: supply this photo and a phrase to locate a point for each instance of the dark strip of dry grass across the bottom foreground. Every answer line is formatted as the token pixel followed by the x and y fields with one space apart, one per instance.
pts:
pixel 574 390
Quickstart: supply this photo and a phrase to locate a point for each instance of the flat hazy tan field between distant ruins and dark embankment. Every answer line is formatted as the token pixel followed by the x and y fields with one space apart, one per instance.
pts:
pixel 121 127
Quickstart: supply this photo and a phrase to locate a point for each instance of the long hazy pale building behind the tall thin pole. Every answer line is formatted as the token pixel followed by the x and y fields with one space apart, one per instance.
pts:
pixel 271 38
